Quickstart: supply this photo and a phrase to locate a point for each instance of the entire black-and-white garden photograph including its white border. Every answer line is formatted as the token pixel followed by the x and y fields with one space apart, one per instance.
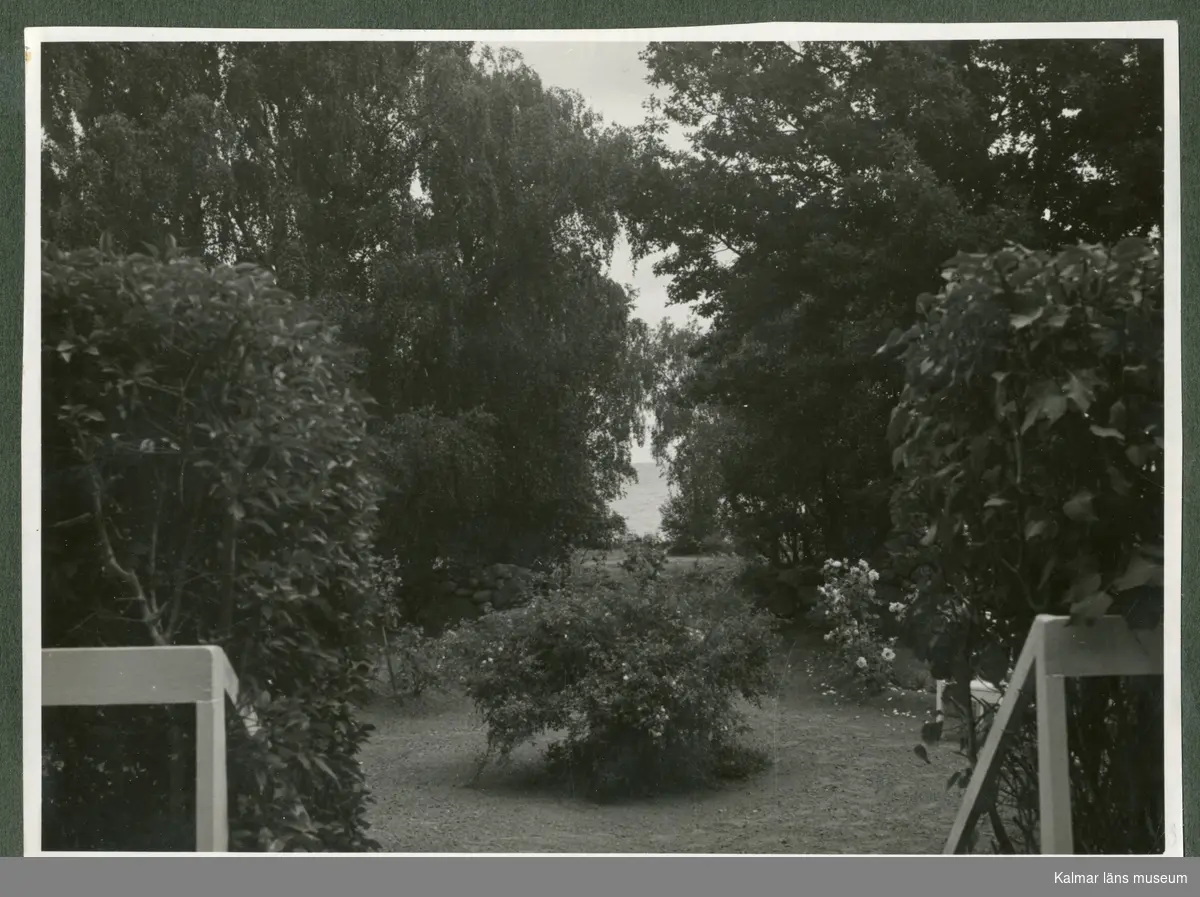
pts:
pixel 765 443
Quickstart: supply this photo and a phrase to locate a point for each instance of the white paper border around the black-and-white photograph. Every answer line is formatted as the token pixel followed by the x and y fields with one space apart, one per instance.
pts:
pixel 32 556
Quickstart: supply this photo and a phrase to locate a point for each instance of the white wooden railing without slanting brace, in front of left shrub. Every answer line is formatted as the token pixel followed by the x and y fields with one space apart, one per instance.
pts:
pixel 200 676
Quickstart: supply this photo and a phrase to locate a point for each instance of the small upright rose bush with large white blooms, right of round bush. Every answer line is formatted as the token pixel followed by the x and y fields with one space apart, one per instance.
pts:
pixel 850 607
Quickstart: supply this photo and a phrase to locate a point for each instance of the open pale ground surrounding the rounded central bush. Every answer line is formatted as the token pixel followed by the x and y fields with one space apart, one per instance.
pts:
pixel 843 780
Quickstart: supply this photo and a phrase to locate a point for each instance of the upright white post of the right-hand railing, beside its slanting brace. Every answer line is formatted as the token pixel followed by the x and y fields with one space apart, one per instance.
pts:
pixel 1054 756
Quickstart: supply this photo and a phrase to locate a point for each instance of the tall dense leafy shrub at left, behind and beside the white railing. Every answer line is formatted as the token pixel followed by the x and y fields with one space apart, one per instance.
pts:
pixel 206 481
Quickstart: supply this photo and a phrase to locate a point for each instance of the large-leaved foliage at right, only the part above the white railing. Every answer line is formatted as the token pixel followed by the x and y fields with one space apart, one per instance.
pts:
pixel 1030 432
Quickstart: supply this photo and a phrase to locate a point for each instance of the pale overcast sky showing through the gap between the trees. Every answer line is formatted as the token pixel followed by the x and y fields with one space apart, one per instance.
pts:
pixel 613 81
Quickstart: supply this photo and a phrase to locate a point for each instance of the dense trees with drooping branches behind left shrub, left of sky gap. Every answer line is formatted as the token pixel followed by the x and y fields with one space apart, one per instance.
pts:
pixel 449 212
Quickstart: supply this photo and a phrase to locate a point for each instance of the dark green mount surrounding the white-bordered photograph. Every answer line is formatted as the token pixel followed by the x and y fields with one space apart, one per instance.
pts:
pixel 526 15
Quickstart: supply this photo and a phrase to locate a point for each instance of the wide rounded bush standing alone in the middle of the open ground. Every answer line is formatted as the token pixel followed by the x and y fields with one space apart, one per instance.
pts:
pixel 641 684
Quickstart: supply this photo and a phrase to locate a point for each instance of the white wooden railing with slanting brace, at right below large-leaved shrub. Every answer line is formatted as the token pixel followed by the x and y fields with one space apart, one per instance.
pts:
pixel 1054 652
